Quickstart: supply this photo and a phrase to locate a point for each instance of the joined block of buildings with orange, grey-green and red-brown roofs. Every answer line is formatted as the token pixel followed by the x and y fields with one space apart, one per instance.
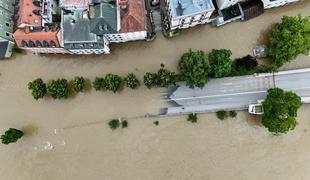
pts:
pixel 79 26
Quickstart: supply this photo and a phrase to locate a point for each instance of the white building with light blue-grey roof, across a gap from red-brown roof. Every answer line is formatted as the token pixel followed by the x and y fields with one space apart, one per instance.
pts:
pixel 188 13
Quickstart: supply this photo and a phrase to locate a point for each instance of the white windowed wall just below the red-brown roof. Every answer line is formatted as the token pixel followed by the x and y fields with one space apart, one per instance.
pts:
pixel 125 37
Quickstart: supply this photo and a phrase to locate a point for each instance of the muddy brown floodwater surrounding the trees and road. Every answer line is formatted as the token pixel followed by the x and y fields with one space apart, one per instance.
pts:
pixel 70 139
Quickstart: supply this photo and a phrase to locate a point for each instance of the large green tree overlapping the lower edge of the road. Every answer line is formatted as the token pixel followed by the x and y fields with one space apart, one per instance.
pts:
pixel 280 110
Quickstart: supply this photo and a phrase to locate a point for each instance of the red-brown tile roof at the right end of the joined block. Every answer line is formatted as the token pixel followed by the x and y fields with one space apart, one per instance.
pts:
pixel 133 18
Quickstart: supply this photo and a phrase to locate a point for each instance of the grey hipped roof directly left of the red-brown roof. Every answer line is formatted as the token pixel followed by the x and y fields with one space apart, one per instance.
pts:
pixel 105 19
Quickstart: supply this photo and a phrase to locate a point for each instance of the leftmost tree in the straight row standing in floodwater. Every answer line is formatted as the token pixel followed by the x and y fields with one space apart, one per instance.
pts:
pixel 38 88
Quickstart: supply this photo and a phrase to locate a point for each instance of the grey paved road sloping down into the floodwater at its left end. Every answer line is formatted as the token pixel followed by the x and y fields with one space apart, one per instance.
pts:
pixel 235 93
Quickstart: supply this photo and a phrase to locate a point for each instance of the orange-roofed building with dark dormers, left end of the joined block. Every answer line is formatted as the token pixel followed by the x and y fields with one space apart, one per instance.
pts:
pixel 39 28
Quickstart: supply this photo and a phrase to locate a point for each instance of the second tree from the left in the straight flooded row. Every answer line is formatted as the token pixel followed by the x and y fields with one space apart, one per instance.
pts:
pixel 58 89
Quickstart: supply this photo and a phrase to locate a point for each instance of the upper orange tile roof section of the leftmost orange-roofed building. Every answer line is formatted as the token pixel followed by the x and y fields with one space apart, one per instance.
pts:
pixel 26 15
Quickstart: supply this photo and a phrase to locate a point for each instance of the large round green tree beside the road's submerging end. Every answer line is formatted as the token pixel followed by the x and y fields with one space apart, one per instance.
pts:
pixel 195 68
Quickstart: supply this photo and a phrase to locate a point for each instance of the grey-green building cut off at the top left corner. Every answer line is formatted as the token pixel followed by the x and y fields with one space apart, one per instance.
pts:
pixel 6 28
